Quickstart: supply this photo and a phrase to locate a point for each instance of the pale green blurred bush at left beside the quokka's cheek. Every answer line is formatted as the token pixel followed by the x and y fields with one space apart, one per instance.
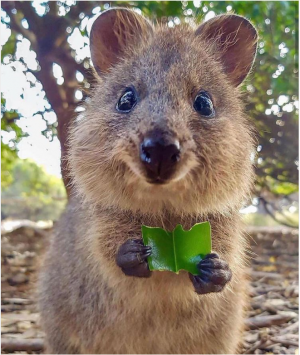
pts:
pixel 33 194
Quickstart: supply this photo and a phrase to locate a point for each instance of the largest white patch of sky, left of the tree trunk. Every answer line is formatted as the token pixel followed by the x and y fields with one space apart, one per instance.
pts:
pixel 36 146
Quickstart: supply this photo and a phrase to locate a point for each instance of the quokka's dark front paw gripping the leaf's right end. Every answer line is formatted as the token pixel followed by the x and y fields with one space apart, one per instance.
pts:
pixel 214 275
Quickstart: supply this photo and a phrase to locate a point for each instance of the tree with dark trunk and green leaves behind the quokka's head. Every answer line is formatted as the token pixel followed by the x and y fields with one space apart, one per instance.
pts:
pixel 56 61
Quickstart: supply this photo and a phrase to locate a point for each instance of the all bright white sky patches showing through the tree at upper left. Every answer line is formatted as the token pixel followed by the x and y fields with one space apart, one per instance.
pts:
pixel 36 146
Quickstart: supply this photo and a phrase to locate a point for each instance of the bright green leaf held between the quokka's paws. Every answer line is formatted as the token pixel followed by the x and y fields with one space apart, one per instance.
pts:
pixel 179 249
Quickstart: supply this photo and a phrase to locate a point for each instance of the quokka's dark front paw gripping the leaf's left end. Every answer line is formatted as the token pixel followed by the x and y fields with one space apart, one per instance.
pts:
pixel 132 258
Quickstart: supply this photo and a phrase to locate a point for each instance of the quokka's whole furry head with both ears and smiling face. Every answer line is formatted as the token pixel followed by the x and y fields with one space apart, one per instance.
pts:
pixel 165 127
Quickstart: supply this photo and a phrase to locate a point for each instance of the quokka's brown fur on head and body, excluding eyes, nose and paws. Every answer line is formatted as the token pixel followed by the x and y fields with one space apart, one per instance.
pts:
pixel 87 304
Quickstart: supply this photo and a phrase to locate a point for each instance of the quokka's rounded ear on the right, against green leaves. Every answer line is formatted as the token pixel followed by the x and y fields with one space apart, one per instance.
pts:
pixel 236 41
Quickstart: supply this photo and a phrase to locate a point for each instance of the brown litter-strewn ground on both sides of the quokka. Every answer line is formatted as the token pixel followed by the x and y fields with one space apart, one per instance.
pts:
pixel 272 323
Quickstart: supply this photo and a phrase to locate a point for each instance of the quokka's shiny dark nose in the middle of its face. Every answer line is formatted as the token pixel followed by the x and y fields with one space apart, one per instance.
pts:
pixel 159 156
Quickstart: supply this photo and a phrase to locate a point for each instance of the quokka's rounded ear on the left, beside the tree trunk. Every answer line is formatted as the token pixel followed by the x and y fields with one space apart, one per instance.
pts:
pixel 113 33
